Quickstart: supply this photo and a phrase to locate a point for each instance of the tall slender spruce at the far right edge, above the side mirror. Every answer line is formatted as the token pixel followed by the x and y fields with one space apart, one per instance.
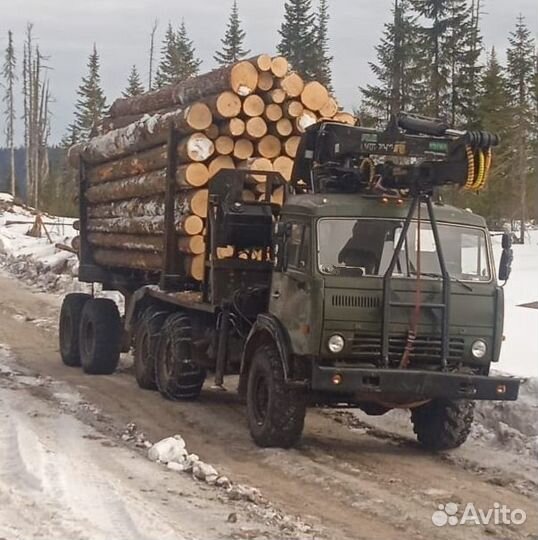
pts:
pixel 521 71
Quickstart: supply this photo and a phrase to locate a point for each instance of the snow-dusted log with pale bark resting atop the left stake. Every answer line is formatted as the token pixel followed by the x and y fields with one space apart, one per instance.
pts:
pixel 141 135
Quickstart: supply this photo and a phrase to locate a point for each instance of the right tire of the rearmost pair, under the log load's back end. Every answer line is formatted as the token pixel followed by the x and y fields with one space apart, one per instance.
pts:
pixel 100 337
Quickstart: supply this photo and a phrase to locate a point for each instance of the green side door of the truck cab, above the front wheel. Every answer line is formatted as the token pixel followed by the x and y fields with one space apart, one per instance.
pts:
pixel 291 287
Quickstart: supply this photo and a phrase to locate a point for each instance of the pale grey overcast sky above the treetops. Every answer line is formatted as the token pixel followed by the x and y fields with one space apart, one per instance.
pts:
pixel 66 30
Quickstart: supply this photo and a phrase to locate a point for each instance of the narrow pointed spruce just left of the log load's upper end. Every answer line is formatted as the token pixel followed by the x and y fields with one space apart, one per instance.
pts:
pixel 91 103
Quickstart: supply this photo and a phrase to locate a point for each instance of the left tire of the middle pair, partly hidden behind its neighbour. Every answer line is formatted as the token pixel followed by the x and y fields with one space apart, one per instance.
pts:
pixel 146 343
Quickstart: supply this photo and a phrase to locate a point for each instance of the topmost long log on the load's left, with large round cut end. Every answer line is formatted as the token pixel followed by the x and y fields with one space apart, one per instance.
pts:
pixel 242 78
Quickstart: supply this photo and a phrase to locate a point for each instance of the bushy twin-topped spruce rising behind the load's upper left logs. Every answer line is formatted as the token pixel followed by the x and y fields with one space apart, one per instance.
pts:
pixel 178 57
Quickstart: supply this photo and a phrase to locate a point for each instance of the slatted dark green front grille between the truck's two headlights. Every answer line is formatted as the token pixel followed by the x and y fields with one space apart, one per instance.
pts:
pixel 426 350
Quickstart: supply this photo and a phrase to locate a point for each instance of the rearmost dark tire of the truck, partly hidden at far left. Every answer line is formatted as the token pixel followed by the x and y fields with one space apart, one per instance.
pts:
pixel 69 331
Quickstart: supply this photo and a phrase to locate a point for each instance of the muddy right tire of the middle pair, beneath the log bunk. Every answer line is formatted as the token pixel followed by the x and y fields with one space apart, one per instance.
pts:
pixel 177 377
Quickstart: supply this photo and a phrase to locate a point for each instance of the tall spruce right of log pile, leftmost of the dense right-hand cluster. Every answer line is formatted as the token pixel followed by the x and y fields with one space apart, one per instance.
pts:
pixel 396 69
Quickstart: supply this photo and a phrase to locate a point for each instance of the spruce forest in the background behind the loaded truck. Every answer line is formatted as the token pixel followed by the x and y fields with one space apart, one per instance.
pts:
pixel 431 59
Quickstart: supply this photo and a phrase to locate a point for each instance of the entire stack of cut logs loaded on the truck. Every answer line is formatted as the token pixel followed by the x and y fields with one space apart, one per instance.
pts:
pixel 250 115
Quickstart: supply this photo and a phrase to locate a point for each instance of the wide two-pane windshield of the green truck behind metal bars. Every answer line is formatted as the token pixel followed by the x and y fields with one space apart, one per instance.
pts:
pixel 365 247
